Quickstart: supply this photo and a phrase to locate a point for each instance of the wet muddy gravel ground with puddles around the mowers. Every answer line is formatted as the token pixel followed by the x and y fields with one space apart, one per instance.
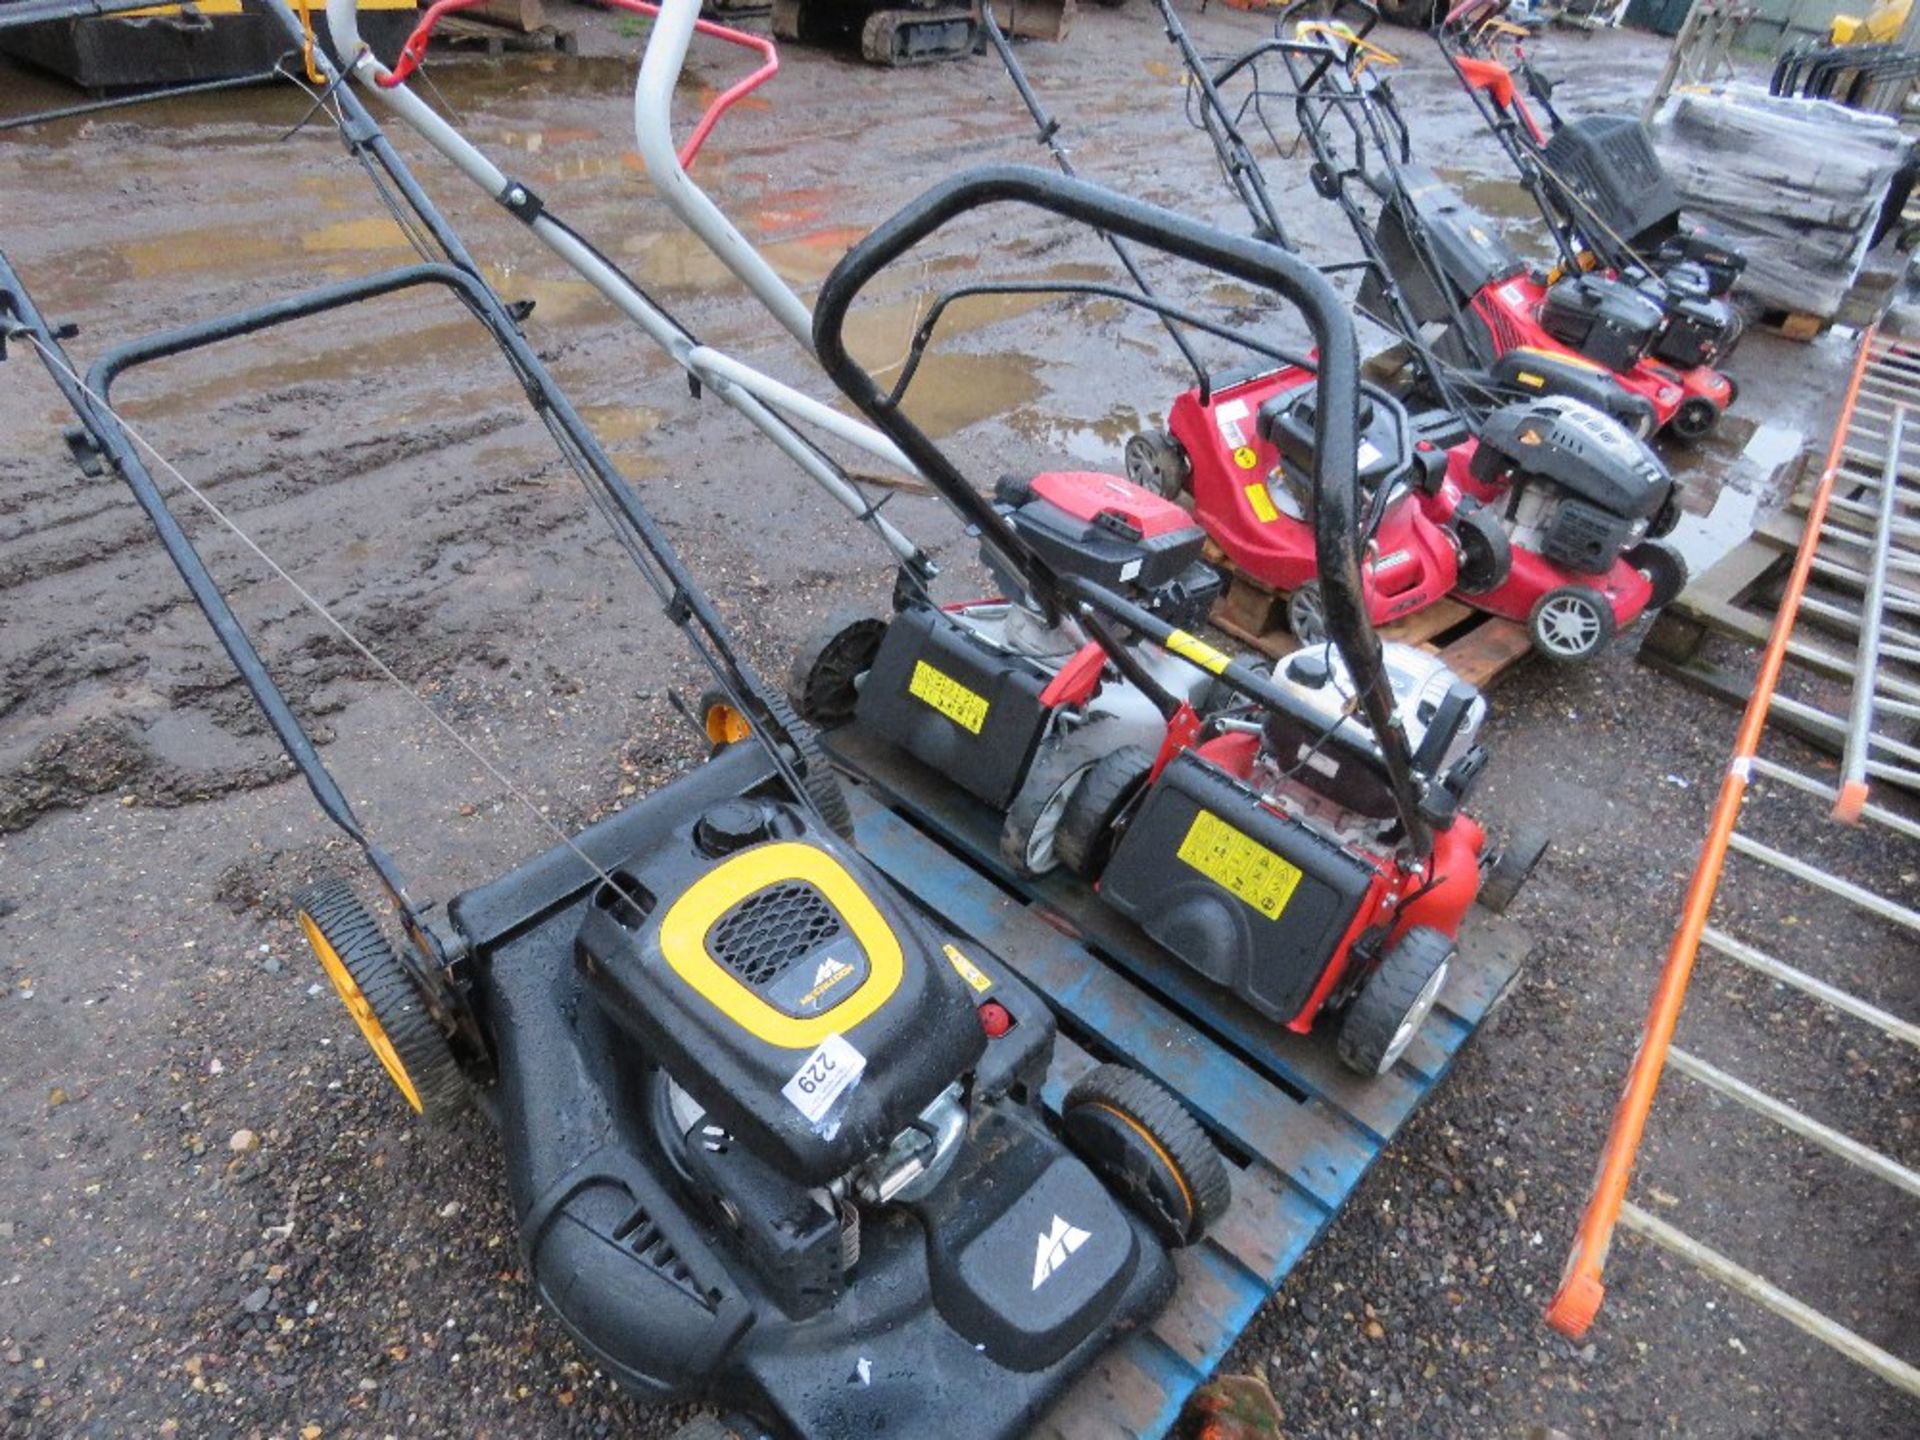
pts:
pixel 354 1274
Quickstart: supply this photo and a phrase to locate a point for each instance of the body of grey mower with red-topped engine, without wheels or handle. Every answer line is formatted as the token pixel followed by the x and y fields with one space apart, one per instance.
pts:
pixel 974 690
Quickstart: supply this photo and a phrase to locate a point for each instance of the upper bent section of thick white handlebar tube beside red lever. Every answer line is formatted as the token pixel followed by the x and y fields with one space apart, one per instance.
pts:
pixel 654 132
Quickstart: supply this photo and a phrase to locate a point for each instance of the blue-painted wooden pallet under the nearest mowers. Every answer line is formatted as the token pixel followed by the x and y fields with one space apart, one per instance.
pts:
pixel 1307 1124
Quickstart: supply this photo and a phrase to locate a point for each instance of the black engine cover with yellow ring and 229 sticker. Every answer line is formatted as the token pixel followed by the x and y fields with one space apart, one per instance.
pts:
pixel 786 992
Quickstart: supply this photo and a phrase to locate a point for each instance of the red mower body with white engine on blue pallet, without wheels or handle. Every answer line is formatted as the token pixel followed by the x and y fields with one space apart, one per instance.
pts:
pixel 1270 857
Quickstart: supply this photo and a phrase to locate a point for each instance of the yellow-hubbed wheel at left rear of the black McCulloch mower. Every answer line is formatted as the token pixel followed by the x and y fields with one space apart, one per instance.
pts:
pixel 383 997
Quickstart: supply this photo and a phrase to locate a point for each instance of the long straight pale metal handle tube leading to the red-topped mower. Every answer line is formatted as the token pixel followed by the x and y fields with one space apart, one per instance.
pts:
pixel 746 391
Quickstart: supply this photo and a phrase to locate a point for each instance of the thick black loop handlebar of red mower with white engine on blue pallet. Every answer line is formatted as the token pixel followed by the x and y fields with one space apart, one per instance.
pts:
pixel 1247 260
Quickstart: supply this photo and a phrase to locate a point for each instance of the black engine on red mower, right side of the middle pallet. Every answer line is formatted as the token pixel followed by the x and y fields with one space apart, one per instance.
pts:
pixel 1572 485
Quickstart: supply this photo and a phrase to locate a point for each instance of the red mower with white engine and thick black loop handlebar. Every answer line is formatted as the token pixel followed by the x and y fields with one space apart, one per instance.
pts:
pixel 1299 838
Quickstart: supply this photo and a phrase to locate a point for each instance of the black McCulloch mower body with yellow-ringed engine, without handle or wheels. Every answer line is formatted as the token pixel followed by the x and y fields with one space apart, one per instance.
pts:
pixel 773 1140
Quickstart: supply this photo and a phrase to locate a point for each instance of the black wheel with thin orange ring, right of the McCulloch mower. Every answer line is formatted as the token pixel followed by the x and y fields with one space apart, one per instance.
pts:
pixel 1140 1140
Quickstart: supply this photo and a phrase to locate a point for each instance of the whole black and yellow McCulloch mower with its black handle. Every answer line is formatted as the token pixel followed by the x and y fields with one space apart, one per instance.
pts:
pixel 773 1134
